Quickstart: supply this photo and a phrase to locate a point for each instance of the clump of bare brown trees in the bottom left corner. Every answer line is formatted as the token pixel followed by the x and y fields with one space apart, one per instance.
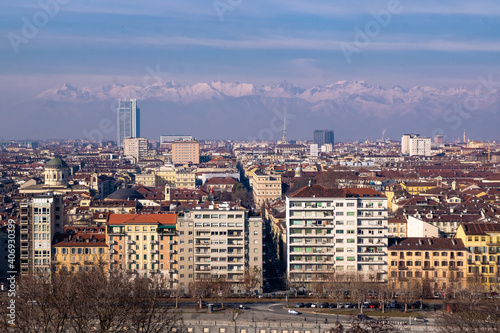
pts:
pixel 90 301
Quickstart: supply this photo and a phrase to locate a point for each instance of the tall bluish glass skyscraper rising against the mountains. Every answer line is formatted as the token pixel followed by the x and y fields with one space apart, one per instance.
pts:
pixel 129 120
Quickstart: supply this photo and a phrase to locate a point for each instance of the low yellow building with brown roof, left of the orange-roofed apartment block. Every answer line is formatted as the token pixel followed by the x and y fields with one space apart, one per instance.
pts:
pixel 80 249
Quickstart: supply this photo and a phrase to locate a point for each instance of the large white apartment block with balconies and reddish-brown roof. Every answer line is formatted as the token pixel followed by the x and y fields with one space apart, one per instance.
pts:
pixel 339 231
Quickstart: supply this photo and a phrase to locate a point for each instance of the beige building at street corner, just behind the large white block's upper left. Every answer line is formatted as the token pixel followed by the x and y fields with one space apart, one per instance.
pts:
pixel 265 187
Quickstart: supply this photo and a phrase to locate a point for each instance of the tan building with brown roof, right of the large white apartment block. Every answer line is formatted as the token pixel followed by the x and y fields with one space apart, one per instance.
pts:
pixel 437 264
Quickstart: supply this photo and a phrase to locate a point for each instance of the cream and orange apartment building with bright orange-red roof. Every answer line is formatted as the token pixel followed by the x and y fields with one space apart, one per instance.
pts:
pixel 144 244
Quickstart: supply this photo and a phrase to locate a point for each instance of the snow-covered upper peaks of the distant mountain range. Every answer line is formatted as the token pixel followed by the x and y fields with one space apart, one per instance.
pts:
pixel 185 94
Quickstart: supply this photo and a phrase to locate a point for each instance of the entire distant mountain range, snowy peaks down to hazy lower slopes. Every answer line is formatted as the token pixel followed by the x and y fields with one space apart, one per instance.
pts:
pixel 245 110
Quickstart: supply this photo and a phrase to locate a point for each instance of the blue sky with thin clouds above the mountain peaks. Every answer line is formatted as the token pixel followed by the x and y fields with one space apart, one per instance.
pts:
pixel 87 43
